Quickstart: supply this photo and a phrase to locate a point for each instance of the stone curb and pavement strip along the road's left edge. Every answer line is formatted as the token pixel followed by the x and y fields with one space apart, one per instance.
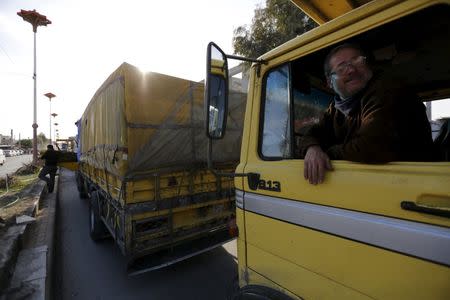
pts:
pixel 31 250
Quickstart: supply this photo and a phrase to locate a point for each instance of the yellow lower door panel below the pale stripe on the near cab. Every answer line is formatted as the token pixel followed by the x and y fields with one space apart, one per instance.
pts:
pixel 314 265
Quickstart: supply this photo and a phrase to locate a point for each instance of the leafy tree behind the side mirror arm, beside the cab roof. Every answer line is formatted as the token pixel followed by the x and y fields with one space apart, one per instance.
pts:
pixel 271 26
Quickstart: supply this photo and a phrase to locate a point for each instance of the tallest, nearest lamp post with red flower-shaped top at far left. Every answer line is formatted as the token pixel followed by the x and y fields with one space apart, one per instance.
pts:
pixel 35 19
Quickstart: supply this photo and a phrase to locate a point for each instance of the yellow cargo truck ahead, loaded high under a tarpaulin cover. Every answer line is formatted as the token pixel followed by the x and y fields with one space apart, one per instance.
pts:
pixel 142 164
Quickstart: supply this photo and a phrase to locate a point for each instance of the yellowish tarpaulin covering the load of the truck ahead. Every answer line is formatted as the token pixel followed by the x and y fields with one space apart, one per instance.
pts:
pixel 140 123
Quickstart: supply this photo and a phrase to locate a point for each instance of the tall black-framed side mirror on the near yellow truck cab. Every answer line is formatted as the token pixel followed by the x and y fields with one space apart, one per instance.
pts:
pixel 216 92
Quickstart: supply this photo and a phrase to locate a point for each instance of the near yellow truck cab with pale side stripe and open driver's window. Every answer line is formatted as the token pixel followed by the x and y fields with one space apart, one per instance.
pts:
pixel 369 231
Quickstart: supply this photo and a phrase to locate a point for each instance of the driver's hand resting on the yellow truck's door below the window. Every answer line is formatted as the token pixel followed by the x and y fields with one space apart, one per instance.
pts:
pixel 317 163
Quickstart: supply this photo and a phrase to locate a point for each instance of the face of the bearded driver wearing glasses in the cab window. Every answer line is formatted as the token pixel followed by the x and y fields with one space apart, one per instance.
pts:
pixel 350 73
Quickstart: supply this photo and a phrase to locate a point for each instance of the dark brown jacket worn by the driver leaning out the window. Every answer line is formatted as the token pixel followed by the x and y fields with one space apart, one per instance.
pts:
pixel 388 125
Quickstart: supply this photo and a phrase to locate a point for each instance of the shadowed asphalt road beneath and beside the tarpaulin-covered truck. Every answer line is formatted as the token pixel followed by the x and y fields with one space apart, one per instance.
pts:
pixel 88 270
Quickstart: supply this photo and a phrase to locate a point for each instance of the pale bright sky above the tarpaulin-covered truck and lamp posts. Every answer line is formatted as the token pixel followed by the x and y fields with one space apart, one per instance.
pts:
pixel 89 39
